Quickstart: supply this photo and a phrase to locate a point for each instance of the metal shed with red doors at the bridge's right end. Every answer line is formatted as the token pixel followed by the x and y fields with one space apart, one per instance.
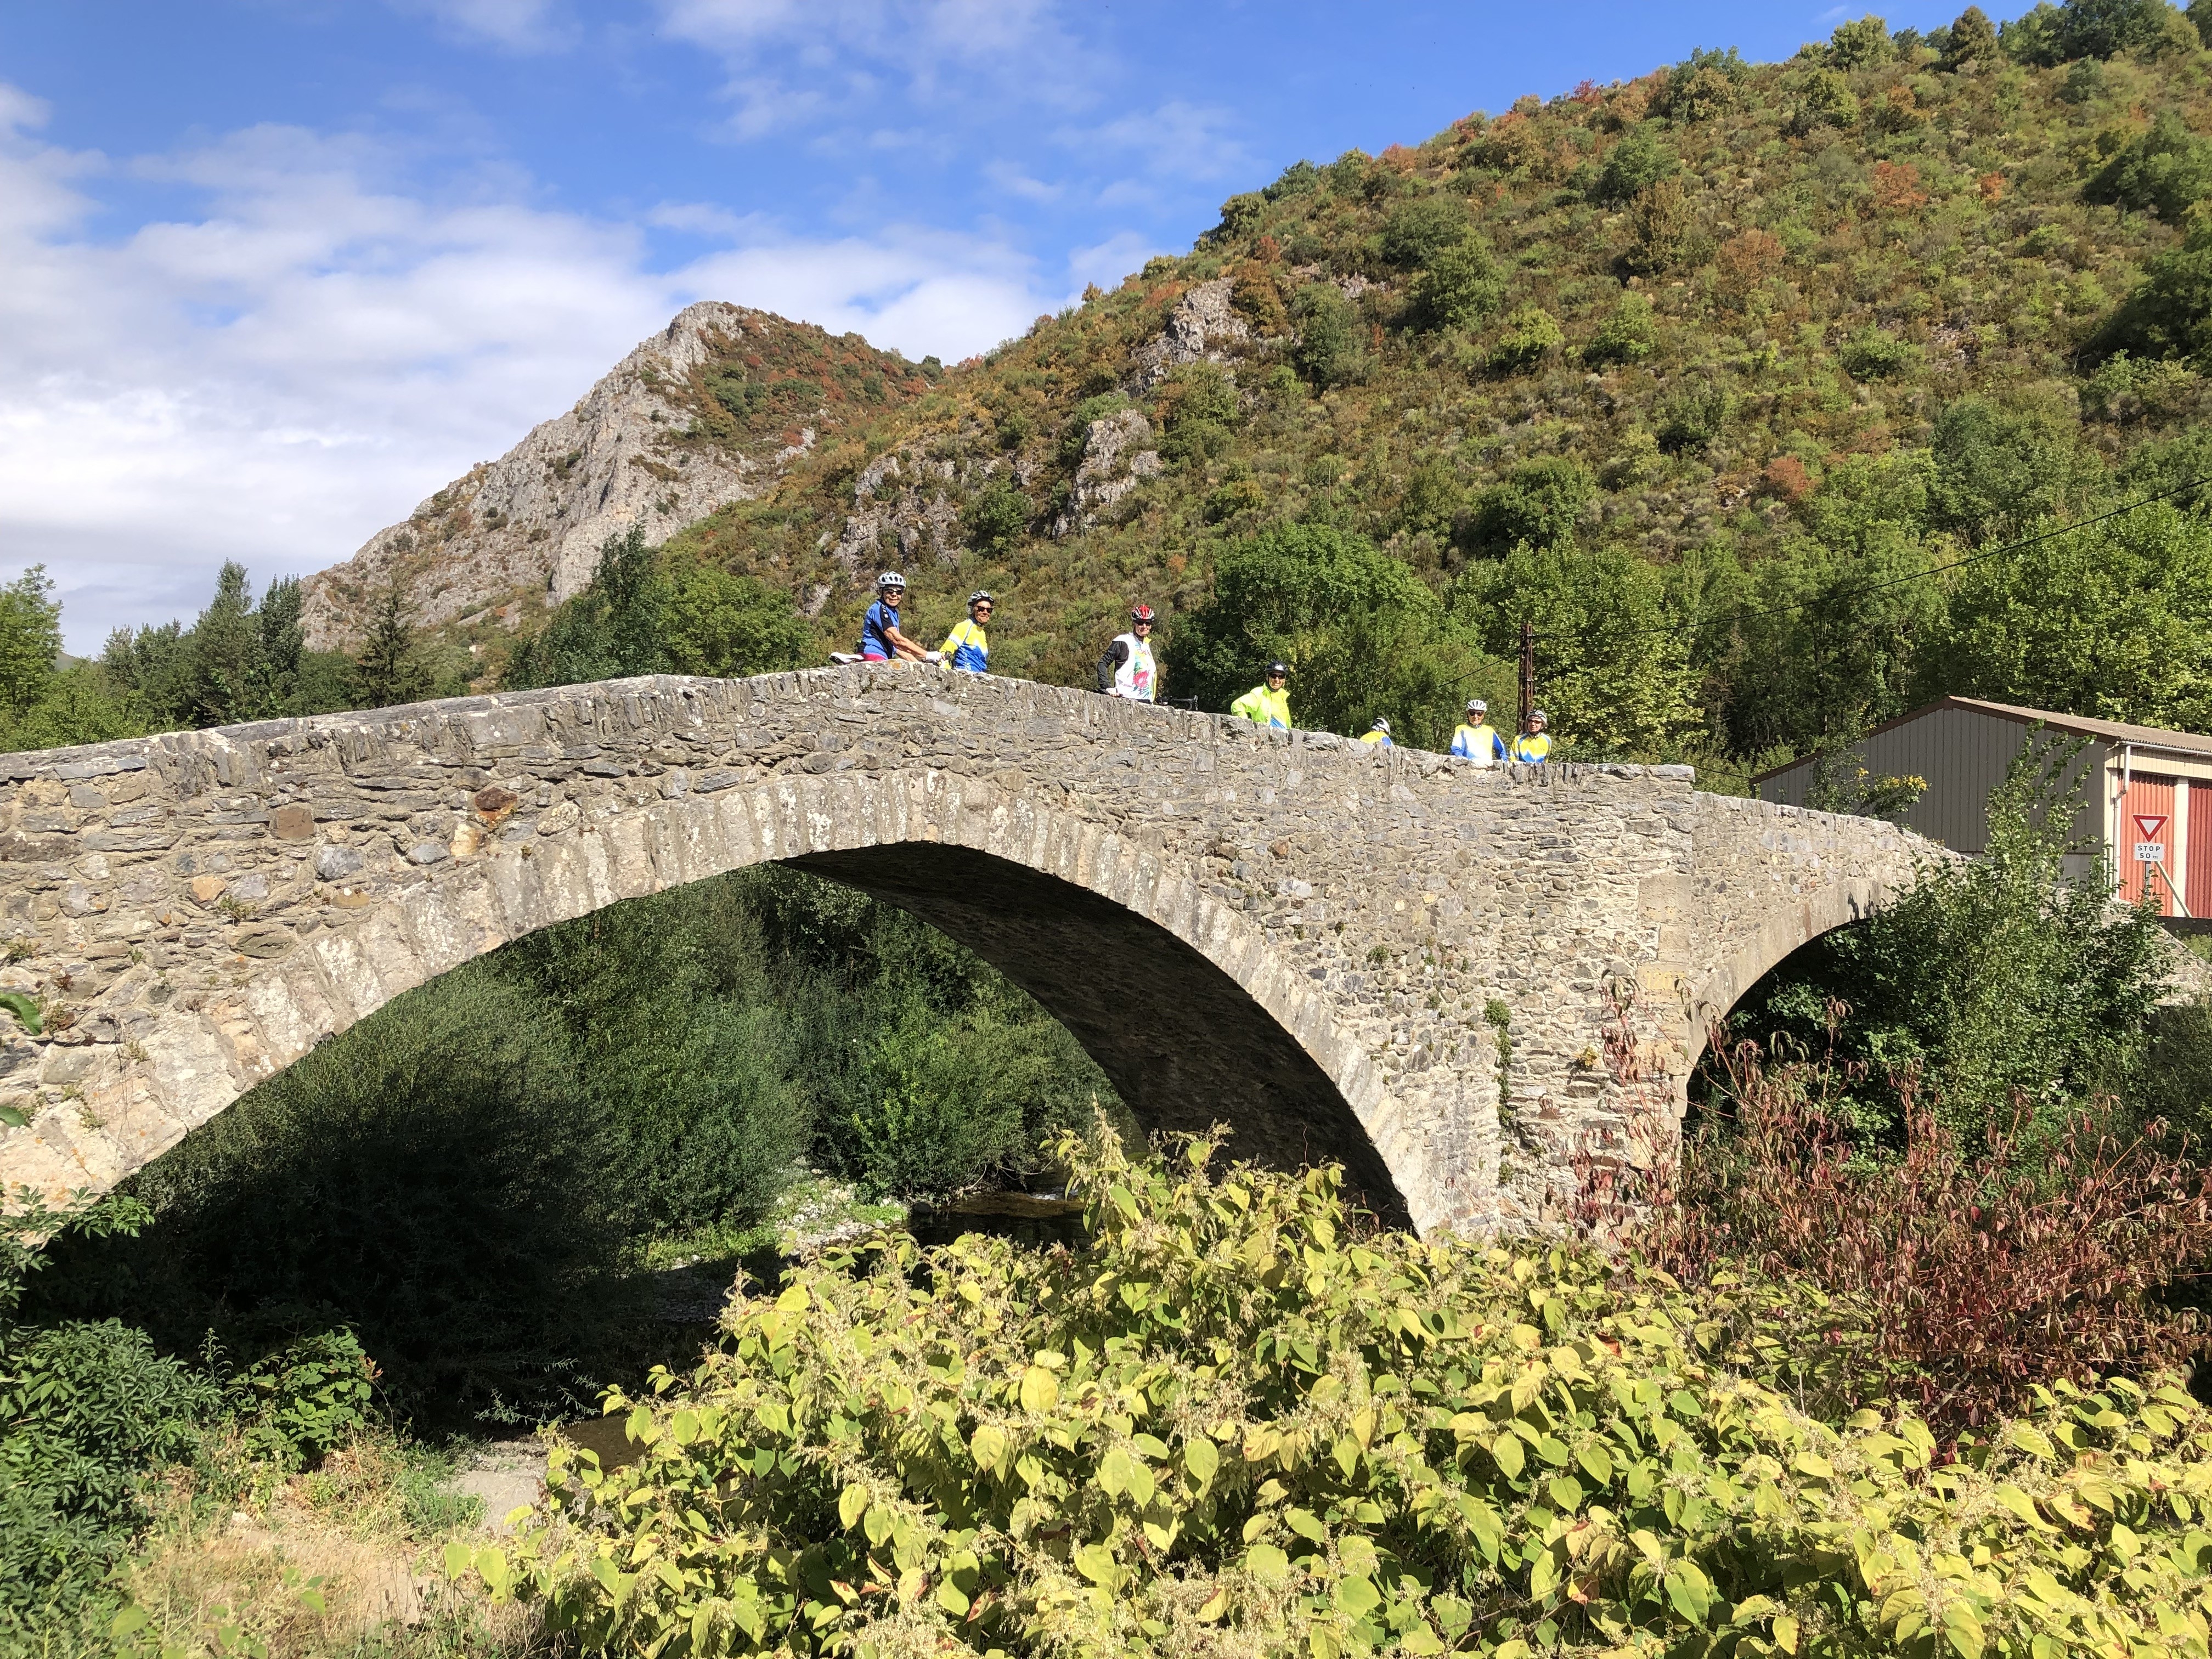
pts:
pixel 2147 813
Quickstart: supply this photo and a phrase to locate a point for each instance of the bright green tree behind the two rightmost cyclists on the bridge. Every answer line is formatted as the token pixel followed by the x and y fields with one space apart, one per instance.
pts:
pixel 1614 669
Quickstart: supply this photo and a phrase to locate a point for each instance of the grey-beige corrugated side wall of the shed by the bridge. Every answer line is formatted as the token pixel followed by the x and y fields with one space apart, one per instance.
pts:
pixel 1963 755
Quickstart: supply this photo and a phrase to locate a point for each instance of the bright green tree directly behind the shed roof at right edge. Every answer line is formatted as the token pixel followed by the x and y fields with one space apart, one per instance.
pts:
pixel 2109 620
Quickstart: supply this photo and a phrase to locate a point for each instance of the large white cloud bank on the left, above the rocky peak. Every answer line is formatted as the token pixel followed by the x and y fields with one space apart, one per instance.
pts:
pixel 315 346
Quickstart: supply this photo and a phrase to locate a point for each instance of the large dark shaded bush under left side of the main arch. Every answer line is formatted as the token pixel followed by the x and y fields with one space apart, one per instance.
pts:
pixel 437 1180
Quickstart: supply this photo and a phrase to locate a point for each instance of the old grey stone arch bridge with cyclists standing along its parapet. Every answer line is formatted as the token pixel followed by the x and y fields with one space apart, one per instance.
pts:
pixel 1297 935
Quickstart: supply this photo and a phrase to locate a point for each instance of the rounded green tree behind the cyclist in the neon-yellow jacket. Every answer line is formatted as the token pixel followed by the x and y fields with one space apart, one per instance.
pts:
pixel 1359 629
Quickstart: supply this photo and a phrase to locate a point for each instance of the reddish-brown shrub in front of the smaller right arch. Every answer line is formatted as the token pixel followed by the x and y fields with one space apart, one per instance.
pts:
pixel 1965 1280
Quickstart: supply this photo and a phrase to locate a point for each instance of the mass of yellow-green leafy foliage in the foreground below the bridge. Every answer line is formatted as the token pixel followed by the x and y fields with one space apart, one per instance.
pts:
pixel 1242 1426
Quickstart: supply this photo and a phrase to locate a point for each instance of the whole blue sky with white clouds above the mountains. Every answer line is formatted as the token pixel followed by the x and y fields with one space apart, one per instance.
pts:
pixel 282 269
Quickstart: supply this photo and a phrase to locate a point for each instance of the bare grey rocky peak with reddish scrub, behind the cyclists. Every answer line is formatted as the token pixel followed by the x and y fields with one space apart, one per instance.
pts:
pixel 711 410
